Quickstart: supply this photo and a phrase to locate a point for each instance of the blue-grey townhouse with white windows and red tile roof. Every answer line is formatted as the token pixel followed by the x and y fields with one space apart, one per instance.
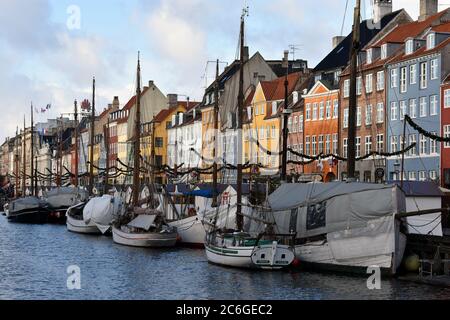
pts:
pixel 414 87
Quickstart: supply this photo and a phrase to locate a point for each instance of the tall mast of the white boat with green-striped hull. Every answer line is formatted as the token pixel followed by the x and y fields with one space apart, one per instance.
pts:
pixel 239 217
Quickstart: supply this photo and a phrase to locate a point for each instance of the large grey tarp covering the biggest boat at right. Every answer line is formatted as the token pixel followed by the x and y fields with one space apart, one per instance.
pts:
pixel 324 208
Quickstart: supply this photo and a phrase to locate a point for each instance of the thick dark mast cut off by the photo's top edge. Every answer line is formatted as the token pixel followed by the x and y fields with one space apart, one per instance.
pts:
pixel 352 100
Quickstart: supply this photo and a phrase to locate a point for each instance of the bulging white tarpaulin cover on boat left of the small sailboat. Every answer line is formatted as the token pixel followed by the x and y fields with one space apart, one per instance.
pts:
pixel 102 211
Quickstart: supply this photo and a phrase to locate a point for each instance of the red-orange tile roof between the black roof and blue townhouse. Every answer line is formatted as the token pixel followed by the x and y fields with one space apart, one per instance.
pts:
pixel 412 29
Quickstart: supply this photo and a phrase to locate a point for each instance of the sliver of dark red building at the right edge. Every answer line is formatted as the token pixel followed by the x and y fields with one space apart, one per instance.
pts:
pixel 445 132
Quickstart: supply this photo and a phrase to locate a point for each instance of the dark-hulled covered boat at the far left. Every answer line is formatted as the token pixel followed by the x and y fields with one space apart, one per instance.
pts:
pixel 28 210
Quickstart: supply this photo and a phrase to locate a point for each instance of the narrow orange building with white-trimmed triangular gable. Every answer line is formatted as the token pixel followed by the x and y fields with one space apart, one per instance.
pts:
pixel 321 127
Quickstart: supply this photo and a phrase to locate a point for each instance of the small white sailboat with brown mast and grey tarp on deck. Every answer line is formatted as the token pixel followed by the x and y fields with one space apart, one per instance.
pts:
pixel 142 226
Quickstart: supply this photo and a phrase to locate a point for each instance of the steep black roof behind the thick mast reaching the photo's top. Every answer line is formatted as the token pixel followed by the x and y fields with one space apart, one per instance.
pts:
pixel 339 56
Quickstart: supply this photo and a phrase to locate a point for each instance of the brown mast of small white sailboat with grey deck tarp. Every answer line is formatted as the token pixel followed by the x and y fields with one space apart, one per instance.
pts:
pixel 137 137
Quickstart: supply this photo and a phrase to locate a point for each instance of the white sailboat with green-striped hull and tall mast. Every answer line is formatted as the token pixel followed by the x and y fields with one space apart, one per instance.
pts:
pixel 237 248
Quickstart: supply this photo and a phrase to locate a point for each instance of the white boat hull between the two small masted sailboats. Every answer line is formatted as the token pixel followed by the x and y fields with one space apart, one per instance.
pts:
pixel 191 232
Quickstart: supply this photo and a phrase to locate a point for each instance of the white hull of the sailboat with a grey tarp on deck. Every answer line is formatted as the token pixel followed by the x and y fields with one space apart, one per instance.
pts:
pixel 144 240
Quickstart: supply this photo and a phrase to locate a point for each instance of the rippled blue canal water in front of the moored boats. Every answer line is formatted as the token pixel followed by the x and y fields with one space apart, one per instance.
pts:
pixel 34 261
